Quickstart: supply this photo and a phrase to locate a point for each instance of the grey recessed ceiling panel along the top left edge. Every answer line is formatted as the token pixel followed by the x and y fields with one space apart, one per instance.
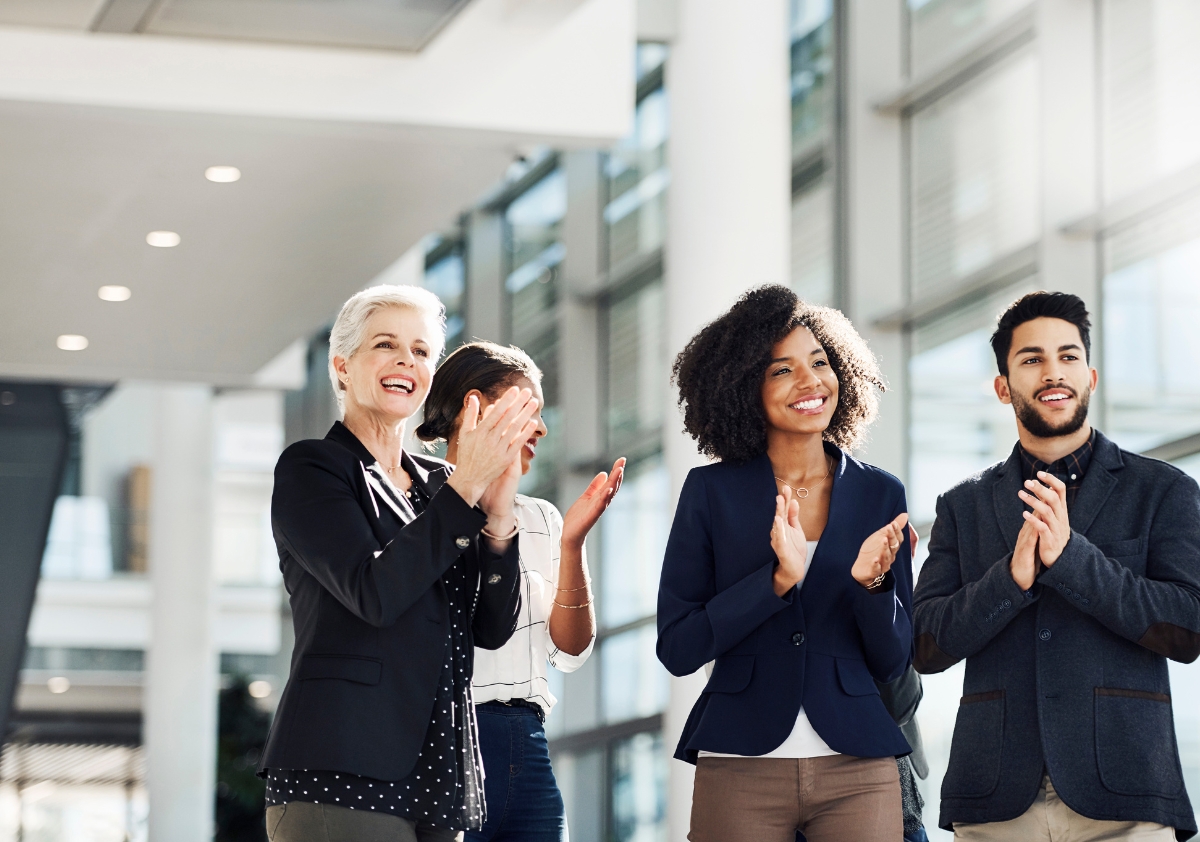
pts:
pixel 383 25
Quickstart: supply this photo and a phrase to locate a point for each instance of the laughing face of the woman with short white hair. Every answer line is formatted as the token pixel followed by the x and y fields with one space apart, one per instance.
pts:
pixel 389 376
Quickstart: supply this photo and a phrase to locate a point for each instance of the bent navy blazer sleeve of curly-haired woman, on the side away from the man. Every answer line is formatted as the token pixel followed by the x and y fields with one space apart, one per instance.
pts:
pixel 697 623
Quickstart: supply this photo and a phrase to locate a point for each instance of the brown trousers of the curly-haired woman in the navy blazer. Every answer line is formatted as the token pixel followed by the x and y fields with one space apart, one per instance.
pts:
pixel 767 799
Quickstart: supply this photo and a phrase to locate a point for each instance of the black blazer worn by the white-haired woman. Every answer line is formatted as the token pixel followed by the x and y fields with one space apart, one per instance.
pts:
pixel 371 615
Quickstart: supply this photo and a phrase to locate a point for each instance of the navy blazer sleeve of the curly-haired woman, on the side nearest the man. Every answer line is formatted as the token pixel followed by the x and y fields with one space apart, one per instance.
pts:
pixel 885 618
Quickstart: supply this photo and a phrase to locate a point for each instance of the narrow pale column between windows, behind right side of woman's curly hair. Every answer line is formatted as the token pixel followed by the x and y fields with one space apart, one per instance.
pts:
pixel 873 64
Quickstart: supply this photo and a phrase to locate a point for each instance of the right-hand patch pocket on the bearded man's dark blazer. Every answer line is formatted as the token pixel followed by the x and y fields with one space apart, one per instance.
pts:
pixel 1136 743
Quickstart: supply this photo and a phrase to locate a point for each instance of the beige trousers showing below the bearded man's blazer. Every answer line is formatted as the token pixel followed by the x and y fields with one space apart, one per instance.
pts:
pixel 1052 821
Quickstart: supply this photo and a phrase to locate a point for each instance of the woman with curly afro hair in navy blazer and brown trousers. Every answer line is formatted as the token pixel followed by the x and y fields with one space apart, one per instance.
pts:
pixel 789 566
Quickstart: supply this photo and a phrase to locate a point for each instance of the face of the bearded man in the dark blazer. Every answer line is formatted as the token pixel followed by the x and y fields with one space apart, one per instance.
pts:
pixel 1049 382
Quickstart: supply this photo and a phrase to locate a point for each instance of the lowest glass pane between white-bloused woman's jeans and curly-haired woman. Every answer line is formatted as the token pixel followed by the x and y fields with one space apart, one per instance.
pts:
pixel 639 780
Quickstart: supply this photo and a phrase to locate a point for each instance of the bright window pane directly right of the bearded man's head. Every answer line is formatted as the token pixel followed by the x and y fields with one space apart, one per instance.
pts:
pixel 1150 378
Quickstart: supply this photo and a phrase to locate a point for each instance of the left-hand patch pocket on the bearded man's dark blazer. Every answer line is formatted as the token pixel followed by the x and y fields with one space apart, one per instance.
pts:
pixel 976 748
